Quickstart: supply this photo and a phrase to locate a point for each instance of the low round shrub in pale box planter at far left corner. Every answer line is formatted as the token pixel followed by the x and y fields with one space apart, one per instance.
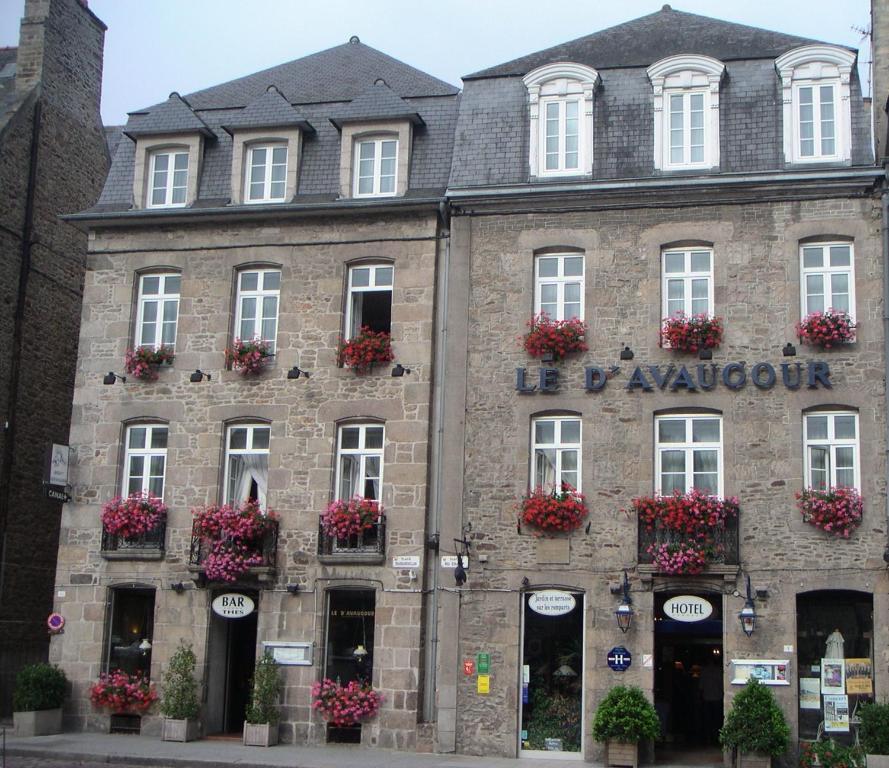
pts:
pixel 37 700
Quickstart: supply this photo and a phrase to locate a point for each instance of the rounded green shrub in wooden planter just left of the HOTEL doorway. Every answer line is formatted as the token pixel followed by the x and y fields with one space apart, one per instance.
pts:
pixel 623 719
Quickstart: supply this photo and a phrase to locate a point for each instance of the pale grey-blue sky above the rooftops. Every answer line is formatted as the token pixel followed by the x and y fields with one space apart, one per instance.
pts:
pixel 156 46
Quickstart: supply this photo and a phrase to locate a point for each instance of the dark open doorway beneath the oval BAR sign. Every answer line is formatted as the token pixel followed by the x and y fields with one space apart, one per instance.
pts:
pixel 231 658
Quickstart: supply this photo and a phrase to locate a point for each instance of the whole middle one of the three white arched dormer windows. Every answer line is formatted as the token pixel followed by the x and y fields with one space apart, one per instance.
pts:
pixel 686 112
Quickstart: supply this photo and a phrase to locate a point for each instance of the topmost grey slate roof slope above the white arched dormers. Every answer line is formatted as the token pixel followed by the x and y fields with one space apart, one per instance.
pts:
pixel 643 41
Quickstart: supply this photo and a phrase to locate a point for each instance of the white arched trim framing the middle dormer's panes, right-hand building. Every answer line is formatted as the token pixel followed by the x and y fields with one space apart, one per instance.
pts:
pixel 686 73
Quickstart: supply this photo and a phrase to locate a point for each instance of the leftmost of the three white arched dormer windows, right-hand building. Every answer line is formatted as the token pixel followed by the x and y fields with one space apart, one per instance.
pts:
pixel 560 98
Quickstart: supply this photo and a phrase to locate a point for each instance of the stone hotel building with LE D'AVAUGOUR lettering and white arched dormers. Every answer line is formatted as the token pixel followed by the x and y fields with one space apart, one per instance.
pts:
pixel 670 164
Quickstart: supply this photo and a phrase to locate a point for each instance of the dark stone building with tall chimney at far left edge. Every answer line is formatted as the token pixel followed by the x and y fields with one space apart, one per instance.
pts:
pixel 52 160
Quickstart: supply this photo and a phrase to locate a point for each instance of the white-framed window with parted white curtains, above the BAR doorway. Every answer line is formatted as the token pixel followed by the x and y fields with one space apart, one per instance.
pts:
pixel 247 463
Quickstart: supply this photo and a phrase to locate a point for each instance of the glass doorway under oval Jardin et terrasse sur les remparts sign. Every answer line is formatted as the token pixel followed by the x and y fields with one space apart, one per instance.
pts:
pixel 551 681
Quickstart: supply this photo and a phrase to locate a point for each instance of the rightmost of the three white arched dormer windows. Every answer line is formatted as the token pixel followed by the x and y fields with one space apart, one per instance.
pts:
pixel 817 112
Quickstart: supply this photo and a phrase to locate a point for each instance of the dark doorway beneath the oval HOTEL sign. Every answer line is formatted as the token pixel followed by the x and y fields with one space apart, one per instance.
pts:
pixel 689 676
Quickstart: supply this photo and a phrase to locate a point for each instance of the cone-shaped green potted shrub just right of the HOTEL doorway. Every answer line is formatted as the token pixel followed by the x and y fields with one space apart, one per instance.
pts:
pixel 754 729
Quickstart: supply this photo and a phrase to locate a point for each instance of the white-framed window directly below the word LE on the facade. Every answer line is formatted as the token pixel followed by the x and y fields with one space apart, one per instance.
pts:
pixel 556 452
